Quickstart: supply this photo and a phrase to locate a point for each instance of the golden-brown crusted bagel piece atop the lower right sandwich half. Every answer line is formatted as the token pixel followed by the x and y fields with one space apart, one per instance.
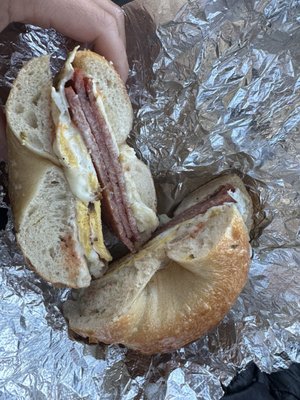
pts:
pixel 179 286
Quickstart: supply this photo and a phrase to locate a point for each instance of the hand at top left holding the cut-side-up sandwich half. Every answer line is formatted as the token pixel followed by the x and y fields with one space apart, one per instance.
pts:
pixel 99 22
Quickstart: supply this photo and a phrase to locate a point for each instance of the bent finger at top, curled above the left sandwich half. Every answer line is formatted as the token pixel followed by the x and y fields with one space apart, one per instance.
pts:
pixel 82 20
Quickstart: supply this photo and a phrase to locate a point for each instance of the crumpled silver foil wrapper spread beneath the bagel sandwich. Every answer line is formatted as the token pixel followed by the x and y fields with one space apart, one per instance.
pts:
pixel 214 89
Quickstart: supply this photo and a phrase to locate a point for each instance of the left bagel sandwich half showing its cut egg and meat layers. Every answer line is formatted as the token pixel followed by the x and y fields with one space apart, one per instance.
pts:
pixel 70 168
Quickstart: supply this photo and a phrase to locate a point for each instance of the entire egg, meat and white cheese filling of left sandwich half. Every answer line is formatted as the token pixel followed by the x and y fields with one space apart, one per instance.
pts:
pixel 93 165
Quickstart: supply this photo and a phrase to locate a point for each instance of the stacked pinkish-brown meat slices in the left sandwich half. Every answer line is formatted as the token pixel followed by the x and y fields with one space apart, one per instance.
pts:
pixel 91 123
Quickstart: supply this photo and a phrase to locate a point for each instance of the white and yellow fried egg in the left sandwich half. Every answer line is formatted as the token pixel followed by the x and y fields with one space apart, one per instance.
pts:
pixel 80 173
